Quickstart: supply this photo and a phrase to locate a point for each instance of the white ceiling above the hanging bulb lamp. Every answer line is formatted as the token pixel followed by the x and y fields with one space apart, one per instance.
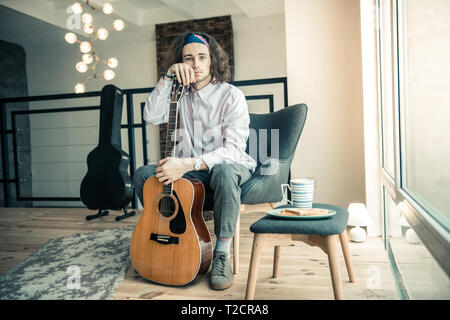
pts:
pixel 45 21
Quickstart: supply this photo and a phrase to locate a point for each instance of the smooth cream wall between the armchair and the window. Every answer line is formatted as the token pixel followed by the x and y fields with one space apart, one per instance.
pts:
pixel 323 48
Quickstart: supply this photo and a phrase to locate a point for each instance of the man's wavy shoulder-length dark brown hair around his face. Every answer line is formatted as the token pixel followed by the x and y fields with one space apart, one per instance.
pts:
pixel 220 67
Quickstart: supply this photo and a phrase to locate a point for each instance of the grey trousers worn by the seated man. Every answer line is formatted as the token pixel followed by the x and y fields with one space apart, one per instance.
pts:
pixel 225 180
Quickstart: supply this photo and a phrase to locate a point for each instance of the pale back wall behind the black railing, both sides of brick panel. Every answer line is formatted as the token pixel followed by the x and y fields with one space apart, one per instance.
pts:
pixel 61 142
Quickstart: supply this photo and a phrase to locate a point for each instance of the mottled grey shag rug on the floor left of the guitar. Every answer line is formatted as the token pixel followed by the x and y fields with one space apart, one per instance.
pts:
pixel 87 266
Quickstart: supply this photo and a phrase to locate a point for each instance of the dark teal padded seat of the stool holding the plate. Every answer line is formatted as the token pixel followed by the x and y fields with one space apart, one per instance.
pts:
pixel 334 225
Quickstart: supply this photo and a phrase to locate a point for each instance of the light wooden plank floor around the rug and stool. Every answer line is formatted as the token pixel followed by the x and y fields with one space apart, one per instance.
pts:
pixel 304 272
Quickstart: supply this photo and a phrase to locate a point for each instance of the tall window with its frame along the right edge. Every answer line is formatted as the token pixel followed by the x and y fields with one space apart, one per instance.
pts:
pixel 414 101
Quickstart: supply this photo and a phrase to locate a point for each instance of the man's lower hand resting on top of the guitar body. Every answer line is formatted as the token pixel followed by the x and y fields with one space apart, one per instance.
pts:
pixel 171 169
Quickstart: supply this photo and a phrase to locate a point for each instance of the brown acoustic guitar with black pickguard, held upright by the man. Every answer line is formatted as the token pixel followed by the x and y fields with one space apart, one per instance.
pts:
pixel 171 244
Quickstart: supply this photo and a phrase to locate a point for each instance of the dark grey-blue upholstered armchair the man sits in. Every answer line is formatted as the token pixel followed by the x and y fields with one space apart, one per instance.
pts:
pixel 272 170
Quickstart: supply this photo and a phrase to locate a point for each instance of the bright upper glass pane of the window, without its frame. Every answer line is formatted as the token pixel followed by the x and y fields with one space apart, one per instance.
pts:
pixel 424 40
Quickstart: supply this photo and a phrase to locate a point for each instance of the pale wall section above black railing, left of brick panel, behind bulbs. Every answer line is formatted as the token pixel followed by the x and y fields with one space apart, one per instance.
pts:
pixel 56 65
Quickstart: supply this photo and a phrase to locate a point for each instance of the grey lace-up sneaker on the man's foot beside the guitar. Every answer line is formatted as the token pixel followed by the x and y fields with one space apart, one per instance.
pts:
pixel 221 274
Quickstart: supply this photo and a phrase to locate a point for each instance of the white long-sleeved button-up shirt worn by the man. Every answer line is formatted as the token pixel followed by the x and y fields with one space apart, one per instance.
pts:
pixel 214 122
